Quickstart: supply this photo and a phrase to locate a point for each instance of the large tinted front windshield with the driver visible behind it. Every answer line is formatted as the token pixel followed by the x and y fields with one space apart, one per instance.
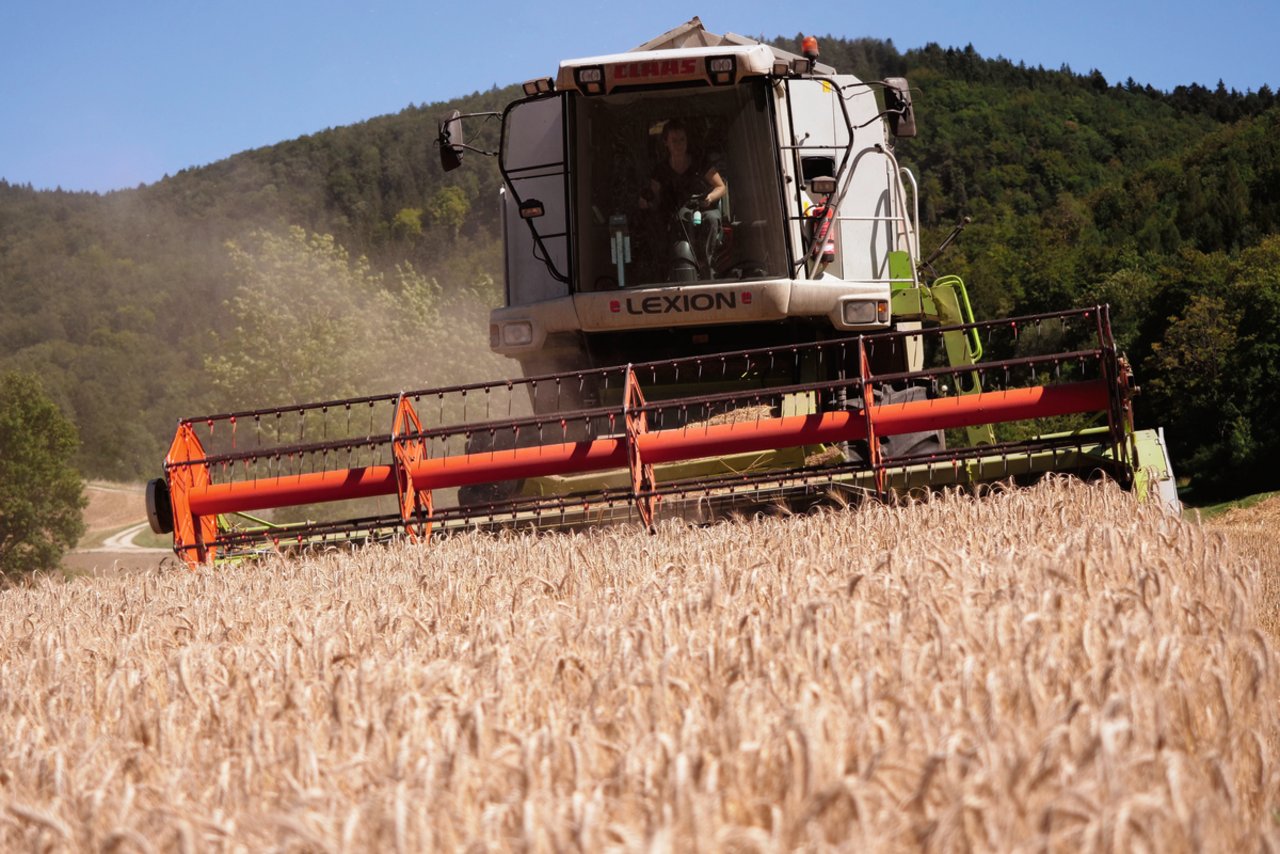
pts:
pixel 676 188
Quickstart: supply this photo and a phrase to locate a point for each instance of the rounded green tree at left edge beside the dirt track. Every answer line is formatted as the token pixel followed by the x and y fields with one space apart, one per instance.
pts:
pixel 42 495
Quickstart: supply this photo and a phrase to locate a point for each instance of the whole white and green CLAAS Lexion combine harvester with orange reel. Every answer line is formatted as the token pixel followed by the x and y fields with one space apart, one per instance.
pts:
pixel 684 351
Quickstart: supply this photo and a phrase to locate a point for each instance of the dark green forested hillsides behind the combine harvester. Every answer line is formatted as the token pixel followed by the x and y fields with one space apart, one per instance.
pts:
pixel 185 296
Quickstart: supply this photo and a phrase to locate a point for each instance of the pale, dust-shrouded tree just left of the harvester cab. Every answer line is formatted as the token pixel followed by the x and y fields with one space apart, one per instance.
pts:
pixel 313 323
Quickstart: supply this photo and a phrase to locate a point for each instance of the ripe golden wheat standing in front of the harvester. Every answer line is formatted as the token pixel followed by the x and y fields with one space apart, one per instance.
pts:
pixel 1055 669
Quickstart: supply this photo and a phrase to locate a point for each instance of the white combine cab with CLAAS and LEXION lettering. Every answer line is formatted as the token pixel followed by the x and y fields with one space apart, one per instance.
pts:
pixel 808 239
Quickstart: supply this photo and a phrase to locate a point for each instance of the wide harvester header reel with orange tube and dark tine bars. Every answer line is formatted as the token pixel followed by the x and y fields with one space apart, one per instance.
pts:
pixel 638 442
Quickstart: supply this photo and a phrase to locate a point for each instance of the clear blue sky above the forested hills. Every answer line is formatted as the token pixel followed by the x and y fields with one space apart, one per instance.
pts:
pixel 99 95
